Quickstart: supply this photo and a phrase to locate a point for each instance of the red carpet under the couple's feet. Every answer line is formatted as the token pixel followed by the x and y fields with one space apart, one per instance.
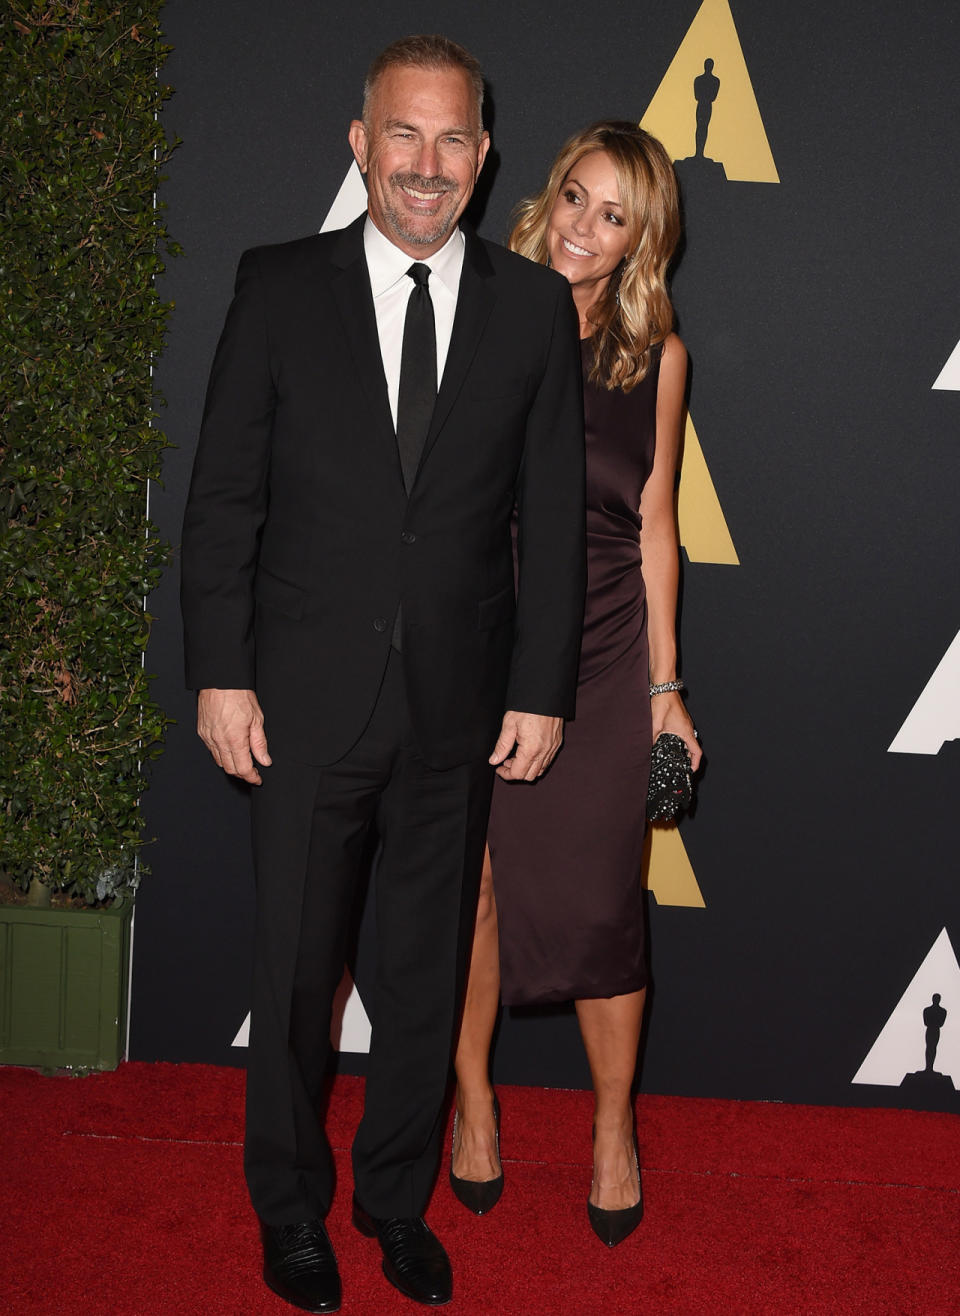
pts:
pixel 123 1194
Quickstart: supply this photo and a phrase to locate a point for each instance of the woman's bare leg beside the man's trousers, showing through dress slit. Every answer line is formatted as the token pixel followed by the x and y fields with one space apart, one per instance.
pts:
pixel 475 1153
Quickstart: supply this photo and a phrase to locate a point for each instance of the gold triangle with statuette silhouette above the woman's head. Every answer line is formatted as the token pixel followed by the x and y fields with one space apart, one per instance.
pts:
pixel 735 135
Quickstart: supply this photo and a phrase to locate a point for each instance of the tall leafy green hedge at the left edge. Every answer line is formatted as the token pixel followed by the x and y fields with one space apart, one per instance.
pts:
pixel 81 152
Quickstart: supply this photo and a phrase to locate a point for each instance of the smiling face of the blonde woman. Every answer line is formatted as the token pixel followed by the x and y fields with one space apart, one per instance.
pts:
pixel 588 234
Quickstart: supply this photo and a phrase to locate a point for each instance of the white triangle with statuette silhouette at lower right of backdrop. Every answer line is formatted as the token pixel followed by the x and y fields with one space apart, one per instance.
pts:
pixel 900 1050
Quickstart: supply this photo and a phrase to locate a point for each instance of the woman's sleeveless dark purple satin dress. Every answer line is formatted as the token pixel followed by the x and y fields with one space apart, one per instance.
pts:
pixel 567 849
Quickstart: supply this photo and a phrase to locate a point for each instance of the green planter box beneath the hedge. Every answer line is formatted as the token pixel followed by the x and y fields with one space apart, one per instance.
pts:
pixel 64 986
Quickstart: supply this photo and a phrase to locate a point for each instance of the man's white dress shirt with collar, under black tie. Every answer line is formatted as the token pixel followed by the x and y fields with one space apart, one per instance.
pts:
pixel 392 289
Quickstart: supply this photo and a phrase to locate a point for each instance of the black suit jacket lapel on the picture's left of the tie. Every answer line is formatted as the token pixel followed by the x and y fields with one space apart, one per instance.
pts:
pixel 355 302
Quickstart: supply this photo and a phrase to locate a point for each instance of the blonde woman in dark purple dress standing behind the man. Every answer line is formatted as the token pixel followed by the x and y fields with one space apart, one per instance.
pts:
pixel 562 894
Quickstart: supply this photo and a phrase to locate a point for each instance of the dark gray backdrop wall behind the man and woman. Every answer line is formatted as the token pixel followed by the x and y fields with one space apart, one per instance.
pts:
pixel 817 313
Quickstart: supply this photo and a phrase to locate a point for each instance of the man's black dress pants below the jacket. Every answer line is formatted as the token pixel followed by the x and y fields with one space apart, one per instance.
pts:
pixel 310 834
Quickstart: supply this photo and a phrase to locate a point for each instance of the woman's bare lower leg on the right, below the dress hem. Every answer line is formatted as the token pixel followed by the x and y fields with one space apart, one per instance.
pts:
pixel 612 1036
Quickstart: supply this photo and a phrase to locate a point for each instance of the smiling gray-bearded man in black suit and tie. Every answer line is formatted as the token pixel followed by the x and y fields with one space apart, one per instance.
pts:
pixel 348 593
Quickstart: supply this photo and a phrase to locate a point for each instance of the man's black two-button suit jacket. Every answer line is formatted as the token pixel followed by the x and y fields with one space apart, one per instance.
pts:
pixel 300 540
